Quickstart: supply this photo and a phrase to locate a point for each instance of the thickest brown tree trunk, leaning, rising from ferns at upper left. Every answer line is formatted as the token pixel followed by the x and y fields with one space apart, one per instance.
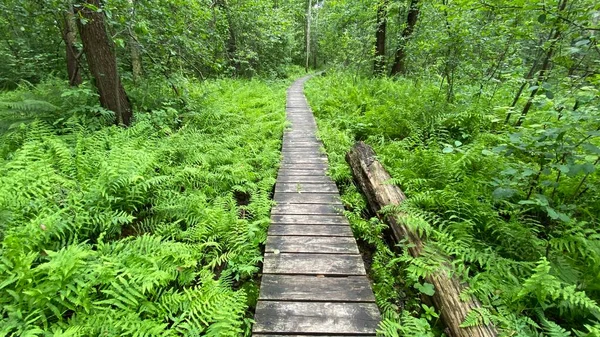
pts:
pixel 102 61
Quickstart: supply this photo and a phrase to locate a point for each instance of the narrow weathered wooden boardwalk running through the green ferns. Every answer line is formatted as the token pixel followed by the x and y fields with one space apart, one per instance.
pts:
pixel 314 281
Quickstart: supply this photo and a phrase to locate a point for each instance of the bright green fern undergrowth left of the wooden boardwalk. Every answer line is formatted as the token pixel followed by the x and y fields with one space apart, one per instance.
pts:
pixel 153 230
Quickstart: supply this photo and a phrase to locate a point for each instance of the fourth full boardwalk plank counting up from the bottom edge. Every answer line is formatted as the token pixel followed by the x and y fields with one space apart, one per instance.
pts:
pixel 311 244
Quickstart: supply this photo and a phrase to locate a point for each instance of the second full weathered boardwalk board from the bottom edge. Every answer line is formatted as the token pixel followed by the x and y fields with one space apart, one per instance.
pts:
pixel 319 289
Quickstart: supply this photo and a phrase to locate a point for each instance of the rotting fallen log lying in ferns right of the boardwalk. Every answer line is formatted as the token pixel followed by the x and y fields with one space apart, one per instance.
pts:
pixel 372 179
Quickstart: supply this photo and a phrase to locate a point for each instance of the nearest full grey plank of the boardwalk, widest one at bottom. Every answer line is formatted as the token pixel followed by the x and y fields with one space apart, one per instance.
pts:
pixel 316 317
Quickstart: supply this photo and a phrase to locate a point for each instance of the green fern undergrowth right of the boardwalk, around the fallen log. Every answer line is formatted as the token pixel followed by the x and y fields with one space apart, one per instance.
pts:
pixel 515 209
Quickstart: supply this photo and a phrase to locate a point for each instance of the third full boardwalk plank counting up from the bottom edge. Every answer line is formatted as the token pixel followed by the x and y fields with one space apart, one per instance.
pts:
pixel 313 264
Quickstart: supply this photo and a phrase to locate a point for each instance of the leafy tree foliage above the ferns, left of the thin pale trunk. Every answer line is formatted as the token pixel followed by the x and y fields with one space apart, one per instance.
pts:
pixel 202 39
